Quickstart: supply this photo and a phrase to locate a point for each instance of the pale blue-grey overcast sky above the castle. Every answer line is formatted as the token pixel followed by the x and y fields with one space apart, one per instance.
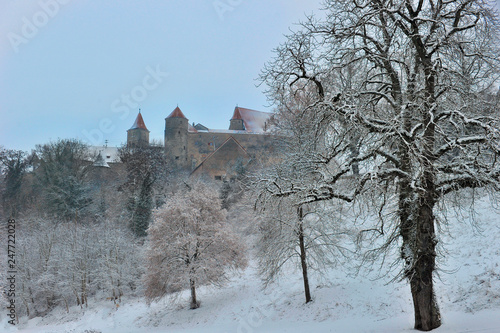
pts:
pixel 82 69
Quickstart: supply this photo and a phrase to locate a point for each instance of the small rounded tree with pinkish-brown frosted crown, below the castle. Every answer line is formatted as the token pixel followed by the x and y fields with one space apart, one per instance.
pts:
pixel 190 244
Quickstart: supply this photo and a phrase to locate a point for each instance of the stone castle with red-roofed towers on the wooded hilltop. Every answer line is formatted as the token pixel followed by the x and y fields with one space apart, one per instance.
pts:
pixel 216 153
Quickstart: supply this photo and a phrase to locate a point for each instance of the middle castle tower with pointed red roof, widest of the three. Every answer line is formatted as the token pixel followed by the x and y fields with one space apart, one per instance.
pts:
pixel 176 138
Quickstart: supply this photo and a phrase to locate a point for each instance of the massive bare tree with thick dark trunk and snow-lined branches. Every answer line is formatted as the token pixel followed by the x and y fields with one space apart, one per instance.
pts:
pixel 413 81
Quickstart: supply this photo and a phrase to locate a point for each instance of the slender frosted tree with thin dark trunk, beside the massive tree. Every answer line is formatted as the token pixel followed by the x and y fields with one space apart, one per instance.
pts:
pixel 291 229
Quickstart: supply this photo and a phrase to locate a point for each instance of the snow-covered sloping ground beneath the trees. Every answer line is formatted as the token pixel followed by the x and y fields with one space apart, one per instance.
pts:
pixel 468 290
